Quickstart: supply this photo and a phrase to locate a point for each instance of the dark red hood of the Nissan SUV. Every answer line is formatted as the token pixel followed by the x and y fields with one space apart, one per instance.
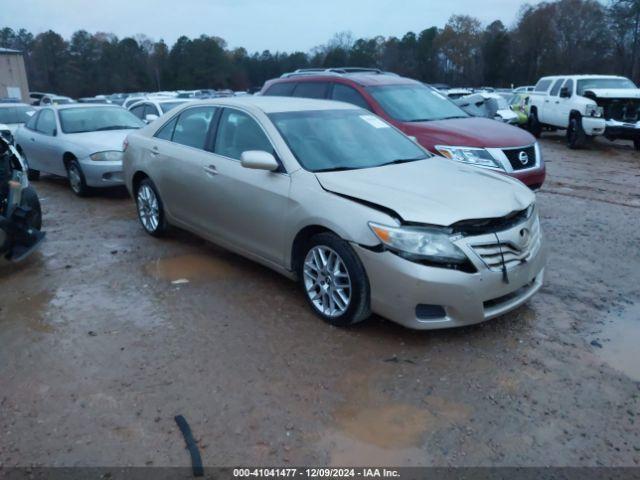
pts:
pixel 468 132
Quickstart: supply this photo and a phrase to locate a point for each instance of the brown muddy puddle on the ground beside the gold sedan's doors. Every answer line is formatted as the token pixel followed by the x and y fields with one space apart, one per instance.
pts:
pixel 193 267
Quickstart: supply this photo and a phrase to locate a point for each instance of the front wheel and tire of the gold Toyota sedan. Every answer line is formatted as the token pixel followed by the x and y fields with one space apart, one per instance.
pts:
pixel 334 281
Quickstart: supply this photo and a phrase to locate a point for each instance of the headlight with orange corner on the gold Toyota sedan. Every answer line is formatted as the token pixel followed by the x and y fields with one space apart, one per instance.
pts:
pixel 420 243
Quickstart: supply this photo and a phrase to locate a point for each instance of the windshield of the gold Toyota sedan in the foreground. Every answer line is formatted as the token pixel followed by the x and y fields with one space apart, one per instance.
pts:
pixel 327 140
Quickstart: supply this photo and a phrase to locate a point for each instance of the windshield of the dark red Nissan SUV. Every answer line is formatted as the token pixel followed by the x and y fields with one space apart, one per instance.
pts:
pixel 415 103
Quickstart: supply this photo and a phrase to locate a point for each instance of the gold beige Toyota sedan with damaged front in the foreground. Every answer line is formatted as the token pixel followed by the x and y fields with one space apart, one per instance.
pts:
pixel 331 195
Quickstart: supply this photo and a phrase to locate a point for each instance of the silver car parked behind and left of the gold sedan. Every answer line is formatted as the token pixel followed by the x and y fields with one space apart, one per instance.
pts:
pixel 81 142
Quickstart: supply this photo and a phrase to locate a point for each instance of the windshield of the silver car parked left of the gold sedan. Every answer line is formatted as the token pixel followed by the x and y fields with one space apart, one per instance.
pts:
pixel 93 119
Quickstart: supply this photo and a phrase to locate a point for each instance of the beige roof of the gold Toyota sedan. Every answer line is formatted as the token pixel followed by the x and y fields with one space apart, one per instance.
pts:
pixel 276 104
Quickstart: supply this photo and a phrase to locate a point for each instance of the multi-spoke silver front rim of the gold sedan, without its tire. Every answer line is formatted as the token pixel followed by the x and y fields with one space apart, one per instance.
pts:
pixel 326 281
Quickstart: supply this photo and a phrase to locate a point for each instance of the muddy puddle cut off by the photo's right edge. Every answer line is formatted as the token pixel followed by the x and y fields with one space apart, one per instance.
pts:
pixel 617 343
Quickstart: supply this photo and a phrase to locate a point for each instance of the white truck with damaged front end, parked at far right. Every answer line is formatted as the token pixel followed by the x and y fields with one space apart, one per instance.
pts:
pixel 586 106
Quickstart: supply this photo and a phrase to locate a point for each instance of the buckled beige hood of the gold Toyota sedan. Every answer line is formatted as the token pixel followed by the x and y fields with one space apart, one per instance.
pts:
pixel 432 191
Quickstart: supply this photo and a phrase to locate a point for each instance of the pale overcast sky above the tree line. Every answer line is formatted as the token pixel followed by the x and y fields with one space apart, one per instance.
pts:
pixel 276 25
